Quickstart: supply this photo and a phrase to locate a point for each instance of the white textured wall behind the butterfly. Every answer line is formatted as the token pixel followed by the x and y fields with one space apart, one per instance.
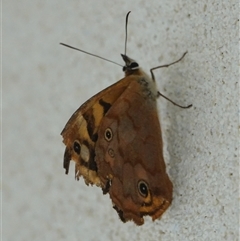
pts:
pixel 44 83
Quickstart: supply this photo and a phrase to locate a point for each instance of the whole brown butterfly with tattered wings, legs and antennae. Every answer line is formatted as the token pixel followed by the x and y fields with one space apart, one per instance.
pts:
pixel 116 142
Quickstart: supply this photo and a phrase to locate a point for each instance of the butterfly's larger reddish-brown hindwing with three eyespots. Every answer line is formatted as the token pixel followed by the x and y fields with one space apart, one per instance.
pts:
pixel 129 155
